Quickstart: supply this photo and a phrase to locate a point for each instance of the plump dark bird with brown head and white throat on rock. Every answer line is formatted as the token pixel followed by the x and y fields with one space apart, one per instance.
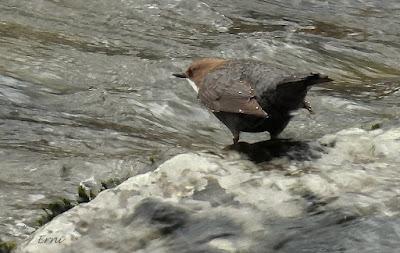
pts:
pixel 249 95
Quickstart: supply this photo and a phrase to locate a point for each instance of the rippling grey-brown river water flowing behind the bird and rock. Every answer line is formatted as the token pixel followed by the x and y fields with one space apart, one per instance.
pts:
pixel 86 88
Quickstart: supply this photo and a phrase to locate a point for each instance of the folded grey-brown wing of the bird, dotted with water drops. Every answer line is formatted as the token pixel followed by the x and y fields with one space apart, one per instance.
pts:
pixel 227 95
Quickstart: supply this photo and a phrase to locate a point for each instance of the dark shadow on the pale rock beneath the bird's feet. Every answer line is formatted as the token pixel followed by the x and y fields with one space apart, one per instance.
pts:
pixel 265 151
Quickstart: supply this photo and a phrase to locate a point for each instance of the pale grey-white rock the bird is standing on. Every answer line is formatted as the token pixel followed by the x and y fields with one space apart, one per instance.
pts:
pixel 206 203
